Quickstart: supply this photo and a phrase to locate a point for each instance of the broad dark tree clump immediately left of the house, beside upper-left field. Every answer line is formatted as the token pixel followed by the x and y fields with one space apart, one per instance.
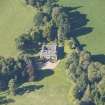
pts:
pixel 28 43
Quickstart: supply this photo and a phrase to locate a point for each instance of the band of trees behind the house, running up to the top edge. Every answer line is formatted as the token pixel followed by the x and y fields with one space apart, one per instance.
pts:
pixel 51 23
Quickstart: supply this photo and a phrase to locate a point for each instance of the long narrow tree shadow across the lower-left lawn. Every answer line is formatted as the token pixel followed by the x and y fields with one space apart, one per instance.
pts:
pixel 28 89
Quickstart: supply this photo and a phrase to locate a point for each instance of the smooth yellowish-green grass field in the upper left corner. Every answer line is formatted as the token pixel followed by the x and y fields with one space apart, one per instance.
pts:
pixel 15 18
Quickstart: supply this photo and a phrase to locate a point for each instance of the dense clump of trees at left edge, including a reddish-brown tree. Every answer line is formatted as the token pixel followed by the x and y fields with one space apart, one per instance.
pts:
pixel 15 71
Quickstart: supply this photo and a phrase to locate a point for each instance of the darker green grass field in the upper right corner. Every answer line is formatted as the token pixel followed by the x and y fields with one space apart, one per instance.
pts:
pixel 95 41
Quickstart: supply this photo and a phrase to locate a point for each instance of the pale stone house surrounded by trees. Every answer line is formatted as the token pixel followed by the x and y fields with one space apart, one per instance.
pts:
pixel 50 52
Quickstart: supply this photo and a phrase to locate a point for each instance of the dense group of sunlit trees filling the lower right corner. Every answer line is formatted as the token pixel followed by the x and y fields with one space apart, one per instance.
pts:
pixel 89 77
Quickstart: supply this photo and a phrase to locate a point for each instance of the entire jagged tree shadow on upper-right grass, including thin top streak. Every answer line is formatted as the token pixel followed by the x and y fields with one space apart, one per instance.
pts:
pixel 78 22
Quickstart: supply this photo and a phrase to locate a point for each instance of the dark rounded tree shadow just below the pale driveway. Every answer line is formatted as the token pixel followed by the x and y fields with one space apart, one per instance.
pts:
pixel 41 74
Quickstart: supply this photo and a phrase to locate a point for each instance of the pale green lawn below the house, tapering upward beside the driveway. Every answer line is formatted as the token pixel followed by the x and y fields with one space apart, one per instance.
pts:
pixel 54 92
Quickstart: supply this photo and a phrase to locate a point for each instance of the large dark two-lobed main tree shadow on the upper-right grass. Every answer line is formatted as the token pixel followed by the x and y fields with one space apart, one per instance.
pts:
pixel 78 22
